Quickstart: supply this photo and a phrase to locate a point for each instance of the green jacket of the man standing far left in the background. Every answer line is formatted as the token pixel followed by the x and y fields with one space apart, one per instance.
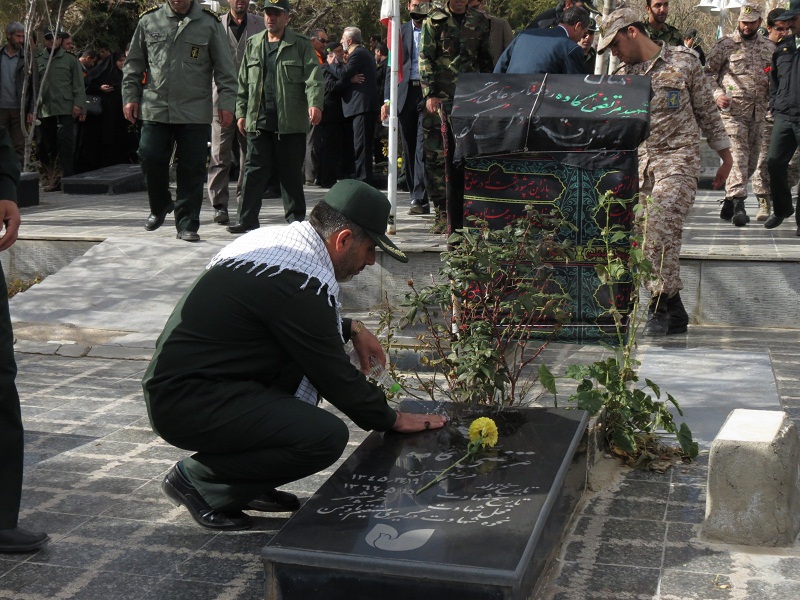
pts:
pixel 63 89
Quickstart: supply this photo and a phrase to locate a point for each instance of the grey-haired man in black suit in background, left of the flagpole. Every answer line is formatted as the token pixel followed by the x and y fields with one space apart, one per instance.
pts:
pixel 359 100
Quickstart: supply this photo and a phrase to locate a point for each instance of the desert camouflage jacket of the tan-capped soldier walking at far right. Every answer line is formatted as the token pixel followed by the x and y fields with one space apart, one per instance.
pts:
pixel 740 69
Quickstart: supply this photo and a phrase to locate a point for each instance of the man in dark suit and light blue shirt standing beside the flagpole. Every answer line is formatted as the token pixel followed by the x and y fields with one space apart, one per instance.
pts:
pixel 409 112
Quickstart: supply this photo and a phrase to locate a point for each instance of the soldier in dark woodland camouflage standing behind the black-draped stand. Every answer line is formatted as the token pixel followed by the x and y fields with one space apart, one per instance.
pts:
pixel 455 40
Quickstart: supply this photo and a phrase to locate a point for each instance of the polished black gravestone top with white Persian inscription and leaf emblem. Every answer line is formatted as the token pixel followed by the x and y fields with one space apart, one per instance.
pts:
pixel 369 506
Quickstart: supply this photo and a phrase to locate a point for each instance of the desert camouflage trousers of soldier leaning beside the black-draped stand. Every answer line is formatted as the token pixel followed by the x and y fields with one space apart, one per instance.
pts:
pixel 672 183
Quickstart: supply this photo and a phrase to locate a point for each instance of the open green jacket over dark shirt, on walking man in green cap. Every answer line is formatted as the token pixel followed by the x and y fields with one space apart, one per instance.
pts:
pixel 298 82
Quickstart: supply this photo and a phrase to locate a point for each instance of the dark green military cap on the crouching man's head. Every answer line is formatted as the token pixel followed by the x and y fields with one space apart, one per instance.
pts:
pixel 366 207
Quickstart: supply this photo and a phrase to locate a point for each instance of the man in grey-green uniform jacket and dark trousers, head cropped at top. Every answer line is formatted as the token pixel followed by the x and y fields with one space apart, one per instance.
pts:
pixel 180 47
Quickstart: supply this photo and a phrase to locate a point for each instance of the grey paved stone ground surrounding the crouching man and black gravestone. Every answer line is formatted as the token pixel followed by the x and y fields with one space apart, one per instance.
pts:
pixel 93 465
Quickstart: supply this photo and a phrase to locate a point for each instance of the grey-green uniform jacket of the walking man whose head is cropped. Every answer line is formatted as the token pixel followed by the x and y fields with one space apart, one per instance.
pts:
pixel 179 56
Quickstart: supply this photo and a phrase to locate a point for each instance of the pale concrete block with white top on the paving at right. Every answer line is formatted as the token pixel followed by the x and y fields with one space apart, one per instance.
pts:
pixel 753 495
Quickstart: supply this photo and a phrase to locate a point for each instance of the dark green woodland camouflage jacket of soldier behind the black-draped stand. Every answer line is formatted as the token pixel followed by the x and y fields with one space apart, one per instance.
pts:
pixel 447 50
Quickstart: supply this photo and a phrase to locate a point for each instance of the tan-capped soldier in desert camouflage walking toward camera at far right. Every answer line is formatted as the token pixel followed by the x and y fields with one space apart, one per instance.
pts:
pixel 738 66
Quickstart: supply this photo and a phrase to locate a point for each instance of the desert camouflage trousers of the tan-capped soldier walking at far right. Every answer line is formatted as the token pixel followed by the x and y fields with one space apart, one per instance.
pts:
pixel 745 134
